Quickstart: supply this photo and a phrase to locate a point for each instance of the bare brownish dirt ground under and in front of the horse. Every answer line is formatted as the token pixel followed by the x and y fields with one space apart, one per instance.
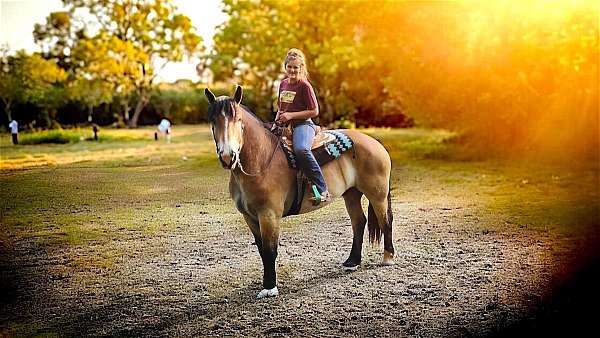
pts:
pixel 454 276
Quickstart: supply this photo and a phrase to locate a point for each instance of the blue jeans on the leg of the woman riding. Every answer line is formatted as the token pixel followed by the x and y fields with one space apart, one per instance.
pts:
pixel 304 134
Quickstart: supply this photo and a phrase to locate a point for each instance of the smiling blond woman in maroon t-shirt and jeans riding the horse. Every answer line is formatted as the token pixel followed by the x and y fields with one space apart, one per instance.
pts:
pixel 297 104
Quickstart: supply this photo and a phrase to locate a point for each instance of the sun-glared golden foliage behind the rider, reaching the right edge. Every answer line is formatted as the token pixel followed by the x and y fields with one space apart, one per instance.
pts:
pixel 507 76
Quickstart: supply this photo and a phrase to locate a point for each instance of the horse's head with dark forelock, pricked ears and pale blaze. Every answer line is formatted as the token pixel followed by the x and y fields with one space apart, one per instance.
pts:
pixel 225 117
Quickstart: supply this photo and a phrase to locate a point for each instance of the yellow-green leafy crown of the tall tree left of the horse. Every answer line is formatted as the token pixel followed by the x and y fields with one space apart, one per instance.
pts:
pixel 120 42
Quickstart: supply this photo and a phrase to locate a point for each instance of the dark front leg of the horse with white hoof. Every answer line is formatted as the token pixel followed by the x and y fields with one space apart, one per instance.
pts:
pixel 269 235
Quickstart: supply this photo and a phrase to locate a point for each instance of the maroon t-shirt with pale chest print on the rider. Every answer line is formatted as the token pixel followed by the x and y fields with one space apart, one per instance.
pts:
pixel 297 96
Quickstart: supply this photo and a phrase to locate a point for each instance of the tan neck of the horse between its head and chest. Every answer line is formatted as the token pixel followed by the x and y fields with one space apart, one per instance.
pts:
pixel 258 145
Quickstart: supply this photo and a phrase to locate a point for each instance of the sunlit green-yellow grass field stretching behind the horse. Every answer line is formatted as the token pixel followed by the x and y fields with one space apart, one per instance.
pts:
pixel 65 185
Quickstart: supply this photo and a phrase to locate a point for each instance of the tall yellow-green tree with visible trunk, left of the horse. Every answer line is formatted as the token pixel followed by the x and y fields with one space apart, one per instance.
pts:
pixel 151 31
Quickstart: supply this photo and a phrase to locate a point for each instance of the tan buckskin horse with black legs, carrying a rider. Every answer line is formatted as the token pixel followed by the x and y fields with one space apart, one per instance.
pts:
pixel 263 186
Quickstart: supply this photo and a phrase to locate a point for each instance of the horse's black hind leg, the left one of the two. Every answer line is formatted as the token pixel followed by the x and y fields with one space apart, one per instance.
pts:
pixel 357 218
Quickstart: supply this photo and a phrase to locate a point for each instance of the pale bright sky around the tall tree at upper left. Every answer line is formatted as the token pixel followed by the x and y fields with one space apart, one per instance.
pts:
pixel 17 18
